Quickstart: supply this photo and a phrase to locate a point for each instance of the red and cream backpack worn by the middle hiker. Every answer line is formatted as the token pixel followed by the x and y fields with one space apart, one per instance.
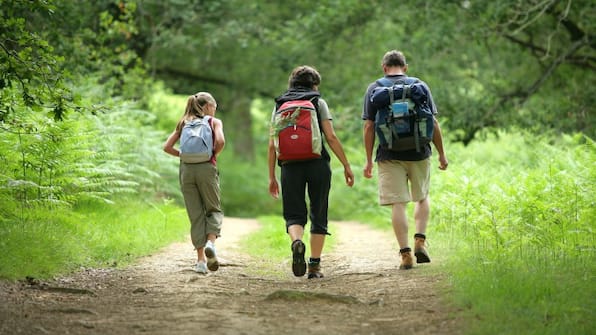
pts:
pixel 296 131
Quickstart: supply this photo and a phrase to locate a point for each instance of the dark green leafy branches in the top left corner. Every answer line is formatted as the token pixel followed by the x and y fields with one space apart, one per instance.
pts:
pixel 31 71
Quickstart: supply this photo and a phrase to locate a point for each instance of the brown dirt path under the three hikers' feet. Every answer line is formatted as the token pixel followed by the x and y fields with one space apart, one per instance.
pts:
pixel 363 293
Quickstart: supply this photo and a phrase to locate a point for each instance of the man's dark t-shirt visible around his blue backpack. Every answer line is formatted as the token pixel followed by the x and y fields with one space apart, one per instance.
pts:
pixel 369 113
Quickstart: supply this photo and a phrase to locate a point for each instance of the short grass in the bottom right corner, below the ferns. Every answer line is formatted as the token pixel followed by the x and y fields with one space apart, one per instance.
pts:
pixel 539 292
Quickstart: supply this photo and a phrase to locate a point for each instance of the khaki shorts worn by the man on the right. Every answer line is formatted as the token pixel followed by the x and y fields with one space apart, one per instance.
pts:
pixel 403 181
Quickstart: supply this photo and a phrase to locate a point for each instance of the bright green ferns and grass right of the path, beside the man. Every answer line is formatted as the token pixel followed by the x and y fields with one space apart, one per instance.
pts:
pixel 517 219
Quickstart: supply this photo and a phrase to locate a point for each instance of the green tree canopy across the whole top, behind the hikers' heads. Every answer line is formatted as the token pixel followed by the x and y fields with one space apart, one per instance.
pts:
pixel 491 65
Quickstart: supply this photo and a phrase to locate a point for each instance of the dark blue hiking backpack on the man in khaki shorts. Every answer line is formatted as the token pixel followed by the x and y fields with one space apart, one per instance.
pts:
pixel 404 119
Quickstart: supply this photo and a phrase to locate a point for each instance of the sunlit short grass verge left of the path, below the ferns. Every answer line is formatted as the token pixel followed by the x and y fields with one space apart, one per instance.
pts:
pixel 50 243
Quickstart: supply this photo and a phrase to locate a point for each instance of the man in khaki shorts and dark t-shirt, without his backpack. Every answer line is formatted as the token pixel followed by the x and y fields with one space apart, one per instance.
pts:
pixel 404 175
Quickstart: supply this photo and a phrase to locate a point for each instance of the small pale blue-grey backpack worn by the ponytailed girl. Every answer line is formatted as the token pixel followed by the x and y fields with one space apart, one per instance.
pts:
pixel 196 140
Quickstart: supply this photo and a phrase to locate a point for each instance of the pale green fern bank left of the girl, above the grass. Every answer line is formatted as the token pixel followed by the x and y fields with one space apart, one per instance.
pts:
pixel 60 163
